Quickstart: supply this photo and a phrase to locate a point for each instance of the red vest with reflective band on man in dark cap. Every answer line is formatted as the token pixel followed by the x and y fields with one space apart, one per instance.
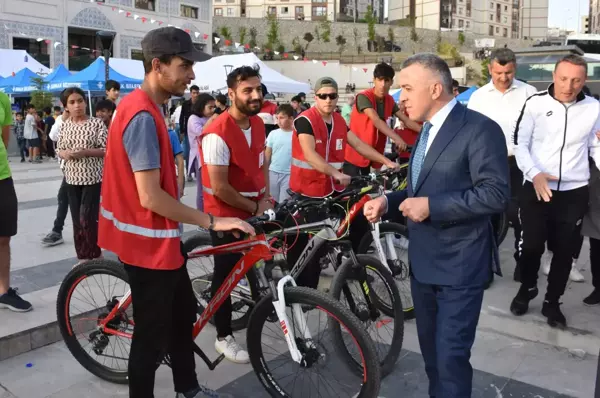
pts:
pixel 137 235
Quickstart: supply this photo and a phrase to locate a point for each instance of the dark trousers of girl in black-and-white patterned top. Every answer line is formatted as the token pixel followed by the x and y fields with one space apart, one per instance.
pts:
pixel 84 202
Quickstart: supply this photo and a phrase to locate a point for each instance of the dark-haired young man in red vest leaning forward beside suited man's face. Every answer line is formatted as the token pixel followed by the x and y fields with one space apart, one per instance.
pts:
pixel 371 120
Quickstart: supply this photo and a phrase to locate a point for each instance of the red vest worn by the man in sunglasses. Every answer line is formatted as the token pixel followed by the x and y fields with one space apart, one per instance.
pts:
pixel 304 179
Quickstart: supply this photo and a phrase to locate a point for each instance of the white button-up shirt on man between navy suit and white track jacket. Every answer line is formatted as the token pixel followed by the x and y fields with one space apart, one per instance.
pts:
pixel 503 108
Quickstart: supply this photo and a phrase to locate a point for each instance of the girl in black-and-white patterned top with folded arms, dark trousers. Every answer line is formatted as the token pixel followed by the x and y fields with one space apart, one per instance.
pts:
pixel 82 144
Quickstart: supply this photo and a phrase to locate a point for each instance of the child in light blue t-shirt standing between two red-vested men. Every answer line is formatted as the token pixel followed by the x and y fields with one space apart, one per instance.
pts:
pixel 278 154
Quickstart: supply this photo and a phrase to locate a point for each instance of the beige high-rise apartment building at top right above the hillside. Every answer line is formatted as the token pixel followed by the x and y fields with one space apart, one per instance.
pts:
pixel 496 18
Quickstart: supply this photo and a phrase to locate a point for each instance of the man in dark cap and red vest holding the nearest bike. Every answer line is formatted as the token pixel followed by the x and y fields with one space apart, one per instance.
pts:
pixel 140 217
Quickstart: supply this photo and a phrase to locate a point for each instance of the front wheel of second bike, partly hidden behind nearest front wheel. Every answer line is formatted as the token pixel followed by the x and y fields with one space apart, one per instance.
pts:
pixel 381 315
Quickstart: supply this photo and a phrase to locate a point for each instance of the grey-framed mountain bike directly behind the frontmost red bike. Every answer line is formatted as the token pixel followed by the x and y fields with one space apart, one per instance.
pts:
pixel 361 282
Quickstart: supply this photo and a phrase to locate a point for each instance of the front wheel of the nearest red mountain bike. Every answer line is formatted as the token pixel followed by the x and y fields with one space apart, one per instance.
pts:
pixel 323 370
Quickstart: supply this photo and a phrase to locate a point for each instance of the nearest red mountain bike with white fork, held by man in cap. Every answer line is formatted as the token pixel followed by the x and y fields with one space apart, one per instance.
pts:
pixel 98 334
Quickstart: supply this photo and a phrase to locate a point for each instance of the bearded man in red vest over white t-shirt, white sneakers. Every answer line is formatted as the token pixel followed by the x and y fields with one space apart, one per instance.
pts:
pixel 235 182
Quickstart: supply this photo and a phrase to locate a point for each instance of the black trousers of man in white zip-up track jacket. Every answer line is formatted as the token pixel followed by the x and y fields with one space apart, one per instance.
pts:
pixel 557 221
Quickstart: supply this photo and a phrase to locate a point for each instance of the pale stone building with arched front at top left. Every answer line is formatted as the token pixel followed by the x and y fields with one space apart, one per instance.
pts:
pixel 64 31
